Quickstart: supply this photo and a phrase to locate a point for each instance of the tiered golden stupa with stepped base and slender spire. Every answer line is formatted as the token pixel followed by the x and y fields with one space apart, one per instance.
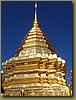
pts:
pixel 35 69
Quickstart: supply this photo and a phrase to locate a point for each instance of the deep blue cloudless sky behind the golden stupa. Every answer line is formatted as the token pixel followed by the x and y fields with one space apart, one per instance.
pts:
pixel 55 20
